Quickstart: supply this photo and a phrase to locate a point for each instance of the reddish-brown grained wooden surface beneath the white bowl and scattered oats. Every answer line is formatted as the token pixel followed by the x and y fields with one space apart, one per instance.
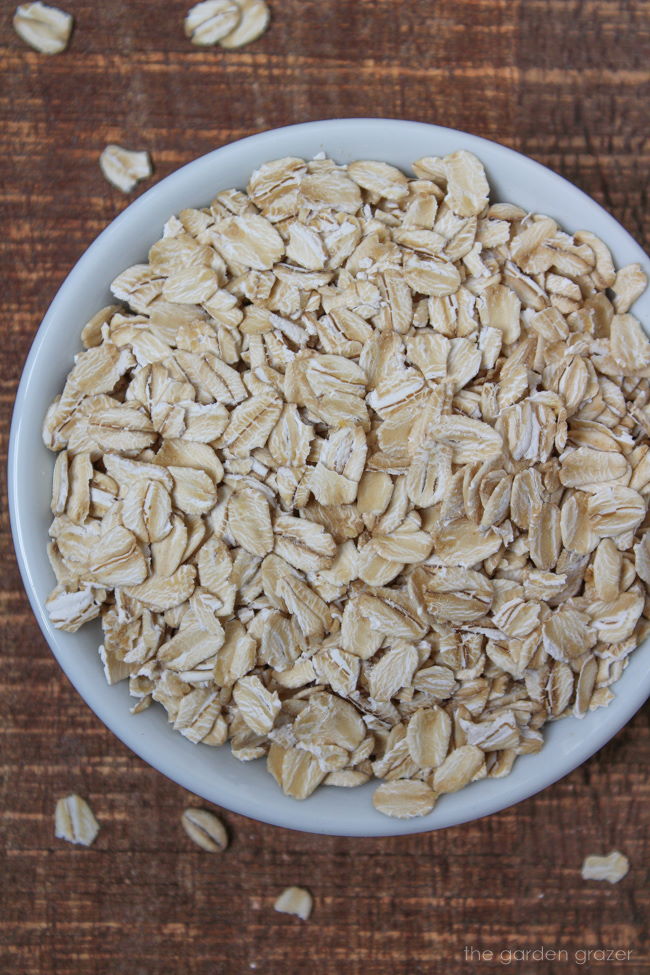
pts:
pixel 565 81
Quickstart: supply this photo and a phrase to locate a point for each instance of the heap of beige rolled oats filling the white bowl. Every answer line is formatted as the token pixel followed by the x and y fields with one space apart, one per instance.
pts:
pixel 356 476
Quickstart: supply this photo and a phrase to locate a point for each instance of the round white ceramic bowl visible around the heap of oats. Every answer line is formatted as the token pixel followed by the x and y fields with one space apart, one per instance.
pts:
pixel 214 773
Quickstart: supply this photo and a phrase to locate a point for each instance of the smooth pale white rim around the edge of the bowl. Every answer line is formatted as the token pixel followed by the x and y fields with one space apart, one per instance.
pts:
pixel 636 690
